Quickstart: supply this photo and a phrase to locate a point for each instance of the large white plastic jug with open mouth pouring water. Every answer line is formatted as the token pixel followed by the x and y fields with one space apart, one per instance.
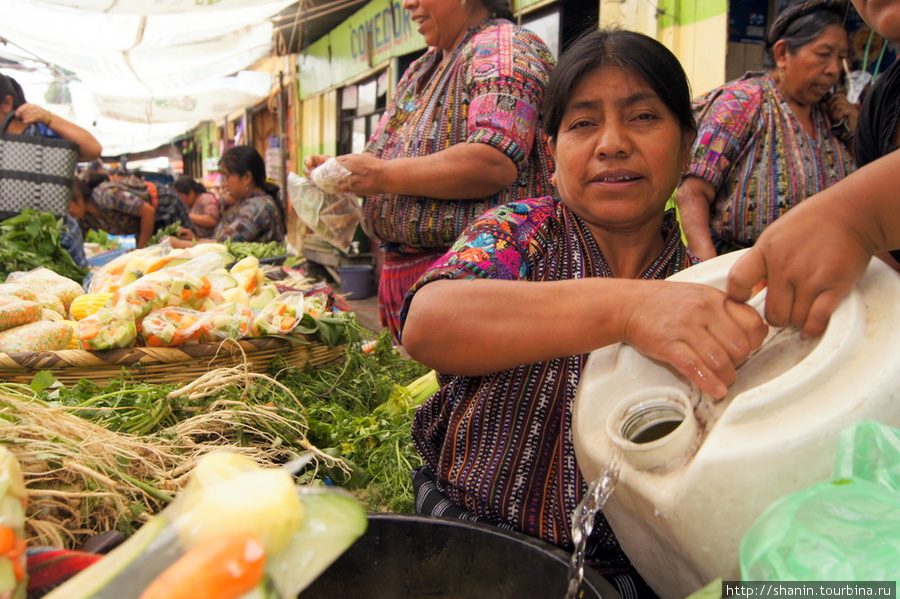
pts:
pixel 696 474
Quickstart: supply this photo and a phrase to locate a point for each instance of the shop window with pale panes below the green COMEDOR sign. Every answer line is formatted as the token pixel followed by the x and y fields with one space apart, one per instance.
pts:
pixel 362 105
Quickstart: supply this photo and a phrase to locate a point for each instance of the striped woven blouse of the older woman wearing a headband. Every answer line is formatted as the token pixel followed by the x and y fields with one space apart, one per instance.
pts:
pixel 759 158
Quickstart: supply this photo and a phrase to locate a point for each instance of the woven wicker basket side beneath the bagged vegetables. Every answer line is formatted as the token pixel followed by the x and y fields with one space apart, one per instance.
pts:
pixel 162 364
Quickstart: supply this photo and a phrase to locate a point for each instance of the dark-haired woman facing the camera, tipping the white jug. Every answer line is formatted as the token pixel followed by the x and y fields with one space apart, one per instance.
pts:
pixel 510 313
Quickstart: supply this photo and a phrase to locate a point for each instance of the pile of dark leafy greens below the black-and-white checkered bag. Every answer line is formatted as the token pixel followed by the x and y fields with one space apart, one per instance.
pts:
pixel 32 239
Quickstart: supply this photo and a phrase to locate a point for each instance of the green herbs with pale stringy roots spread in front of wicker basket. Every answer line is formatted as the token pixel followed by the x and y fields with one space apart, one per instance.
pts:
pixel 99 458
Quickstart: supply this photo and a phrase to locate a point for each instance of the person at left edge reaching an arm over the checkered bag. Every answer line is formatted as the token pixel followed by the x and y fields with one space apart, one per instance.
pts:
pixel 31 119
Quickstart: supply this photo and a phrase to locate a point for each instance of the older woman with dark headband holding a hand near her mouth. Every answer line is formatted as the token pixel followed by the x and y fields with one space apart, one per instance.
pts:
pixel 765 141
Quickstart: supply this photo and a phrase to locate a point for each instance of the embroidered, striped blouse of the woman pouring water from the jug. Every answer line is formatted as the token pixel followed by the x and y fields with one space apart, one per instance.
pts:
pixel 501 445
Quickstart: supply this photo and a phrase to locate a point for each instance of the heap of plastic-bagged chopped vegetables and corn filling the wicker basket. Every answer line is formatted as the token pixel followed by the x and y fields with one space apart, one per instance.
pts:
pixel 160 297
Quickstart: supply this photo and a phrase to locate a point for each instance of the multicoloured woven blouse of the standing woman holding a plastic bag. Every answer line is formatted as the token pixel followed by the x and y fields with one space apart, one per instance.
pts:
pixel 490 92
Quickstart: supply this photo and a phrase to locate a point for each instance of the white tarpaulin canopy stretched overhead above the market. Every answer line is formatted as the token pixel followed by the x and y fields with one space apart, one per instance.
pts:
pixel 144 71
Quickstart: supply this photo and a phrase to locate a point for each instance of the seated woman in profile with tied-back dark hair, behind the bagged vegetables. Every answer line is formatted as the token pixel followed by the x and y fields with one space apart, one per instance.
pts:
pixel 255 214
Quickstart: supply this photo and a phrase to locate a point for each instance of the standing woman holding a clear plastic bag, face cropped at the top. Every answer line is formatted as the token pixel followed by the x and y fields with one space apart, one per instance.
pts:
pixel 460 136
